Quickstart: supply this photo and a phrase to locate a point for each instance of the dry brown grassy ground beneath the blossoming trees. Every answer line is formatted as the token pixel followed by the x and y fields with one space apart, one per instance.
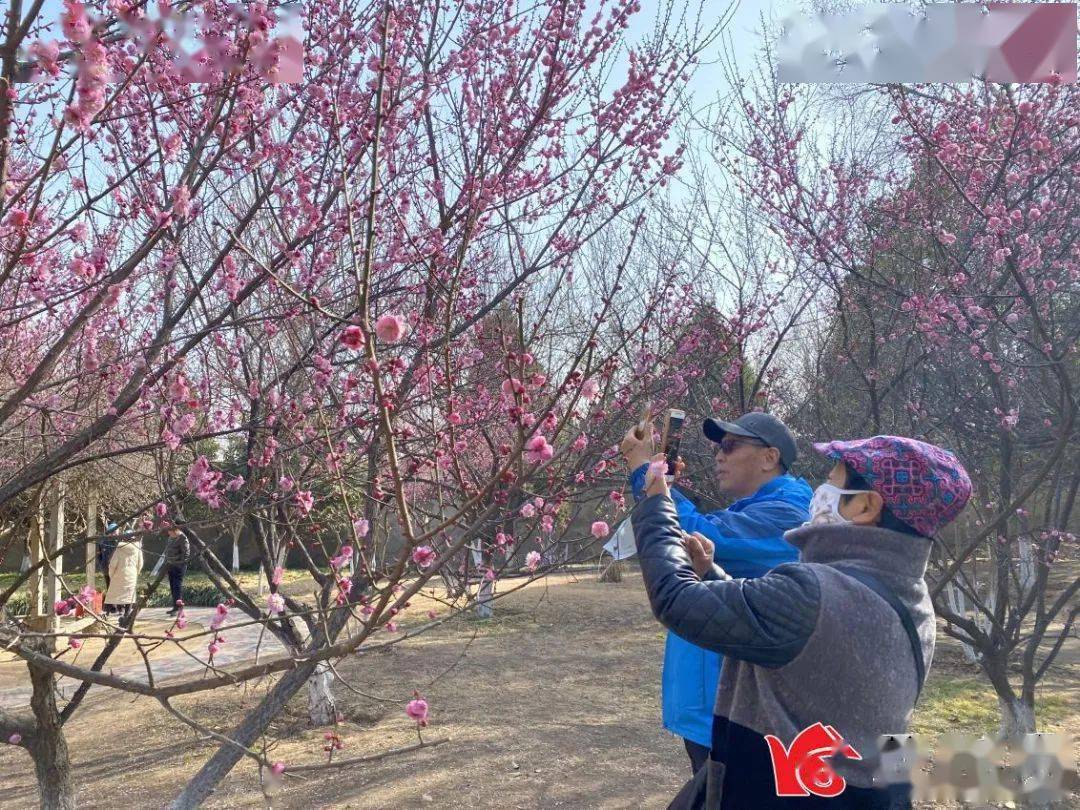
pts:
pixel 555 704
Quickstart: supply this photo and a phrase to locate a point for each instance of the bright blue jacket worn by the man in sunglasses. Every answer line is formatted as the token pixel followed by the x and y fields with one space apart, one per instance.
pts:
pixel 749 539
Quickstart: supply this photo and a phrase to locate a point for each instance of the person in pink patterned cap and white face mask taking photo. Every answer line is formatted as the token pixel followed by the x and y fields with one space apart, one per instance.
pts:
pixel 842 639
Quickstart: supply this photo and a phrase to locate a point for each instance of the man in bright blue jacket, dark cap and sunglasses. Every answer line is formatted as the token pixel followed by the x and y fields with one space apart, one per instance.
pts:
pixel 753 456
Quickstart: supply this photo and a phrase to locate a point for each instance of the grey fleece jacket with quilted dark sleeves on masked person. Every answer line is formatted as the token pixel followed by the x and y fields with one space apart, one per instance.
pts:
pixel 805 644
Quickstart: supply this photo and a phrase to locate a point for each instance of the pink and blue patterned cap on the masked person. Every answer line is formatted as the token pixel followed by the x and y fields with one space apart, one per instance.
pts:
pixel 923 485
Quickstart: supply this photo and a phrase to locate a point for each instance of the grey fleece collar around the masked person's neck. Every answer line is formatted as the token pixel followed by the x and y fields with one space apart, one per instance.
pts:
pixel 874 549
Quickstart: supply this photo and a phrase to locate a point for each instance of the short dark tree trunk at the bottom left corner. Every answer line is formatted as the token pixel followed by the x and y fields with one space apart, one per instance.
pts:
pixel 49 747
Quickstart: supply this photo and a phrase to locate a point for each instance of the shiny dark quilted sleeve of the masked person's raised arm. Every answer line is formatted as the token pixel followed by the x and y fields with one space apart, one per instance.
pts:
pixel 765 622
